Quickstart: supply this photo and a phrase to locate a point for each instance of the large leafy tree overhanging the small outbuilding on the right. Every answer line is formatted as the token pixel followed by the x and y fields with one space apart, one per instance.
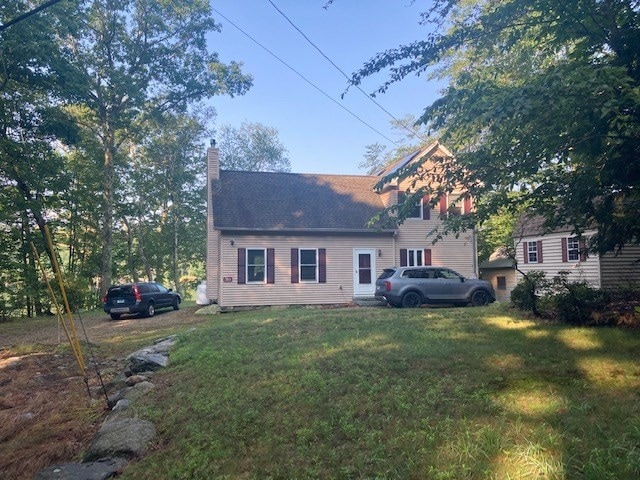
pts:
pixel 542 100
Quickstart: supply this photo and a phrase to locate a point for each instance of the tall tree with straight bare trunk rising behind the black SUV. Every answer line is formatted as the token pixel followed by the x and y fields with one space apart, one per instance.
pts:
pixel 139 58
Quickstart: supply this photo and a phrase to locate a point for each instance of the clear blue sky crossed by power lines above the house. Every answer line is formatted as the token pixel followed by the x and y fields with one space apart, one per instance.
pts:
pixel 321 137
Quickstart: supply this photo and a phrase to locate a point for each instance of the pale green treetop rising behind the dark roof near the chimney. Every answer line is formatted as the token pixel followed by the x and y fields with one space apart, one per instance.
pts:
pixel 252 147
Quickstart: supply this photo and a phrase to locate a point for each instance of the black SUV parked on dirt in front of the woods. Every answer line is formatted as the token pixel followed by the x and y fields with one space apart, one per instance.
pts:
pixel 140 297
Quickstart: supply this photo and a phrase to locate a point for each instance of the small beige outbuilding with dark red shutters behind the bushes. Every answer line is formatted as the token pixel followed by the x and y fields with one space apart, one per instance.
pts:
pixel 560 250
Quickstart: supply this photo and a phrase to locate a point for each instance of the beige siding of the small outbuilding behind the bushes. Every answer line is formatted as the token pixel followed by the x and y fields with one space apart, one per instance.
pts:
pixel 552 263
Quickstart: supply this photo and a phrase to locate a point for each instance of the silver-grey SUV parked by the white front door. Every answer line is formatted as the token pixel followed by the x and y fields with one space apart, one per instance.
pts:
pixel 413 286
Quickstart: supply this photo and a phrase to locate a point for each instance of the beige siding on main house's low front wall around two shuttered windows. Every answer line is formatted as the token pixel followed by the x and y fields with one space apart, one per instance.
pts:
pixel 340 271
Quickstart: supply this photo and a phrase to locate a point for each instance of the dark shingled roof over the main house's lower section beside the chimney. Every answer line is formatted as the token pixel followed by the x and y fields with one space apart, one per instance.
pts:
pixel 289 201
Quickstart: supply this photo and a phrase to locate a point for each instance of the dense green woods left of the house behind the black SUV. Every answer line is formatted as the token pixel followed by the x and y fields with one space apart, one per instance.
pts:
pixel 101 139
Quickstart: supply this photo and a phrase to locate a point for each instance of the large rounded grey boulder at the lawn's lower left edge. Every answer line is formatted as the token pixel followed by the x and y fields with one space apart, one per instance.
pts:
pixel 127 437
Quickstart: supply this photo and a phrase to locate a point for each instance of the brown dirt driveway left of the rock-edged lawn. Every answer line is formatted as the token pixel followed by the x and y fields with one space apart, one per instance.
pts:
pixel 46 413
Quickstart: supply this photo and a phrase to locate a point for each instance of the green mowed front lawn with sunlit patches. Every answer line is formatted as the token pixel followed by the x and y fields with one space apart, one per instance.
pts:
pixel 388 393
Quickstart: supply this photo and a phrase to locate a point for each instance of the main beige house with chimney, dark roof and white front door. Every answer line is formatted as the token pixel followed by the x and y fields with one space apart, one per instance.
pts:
pixel 286 238
